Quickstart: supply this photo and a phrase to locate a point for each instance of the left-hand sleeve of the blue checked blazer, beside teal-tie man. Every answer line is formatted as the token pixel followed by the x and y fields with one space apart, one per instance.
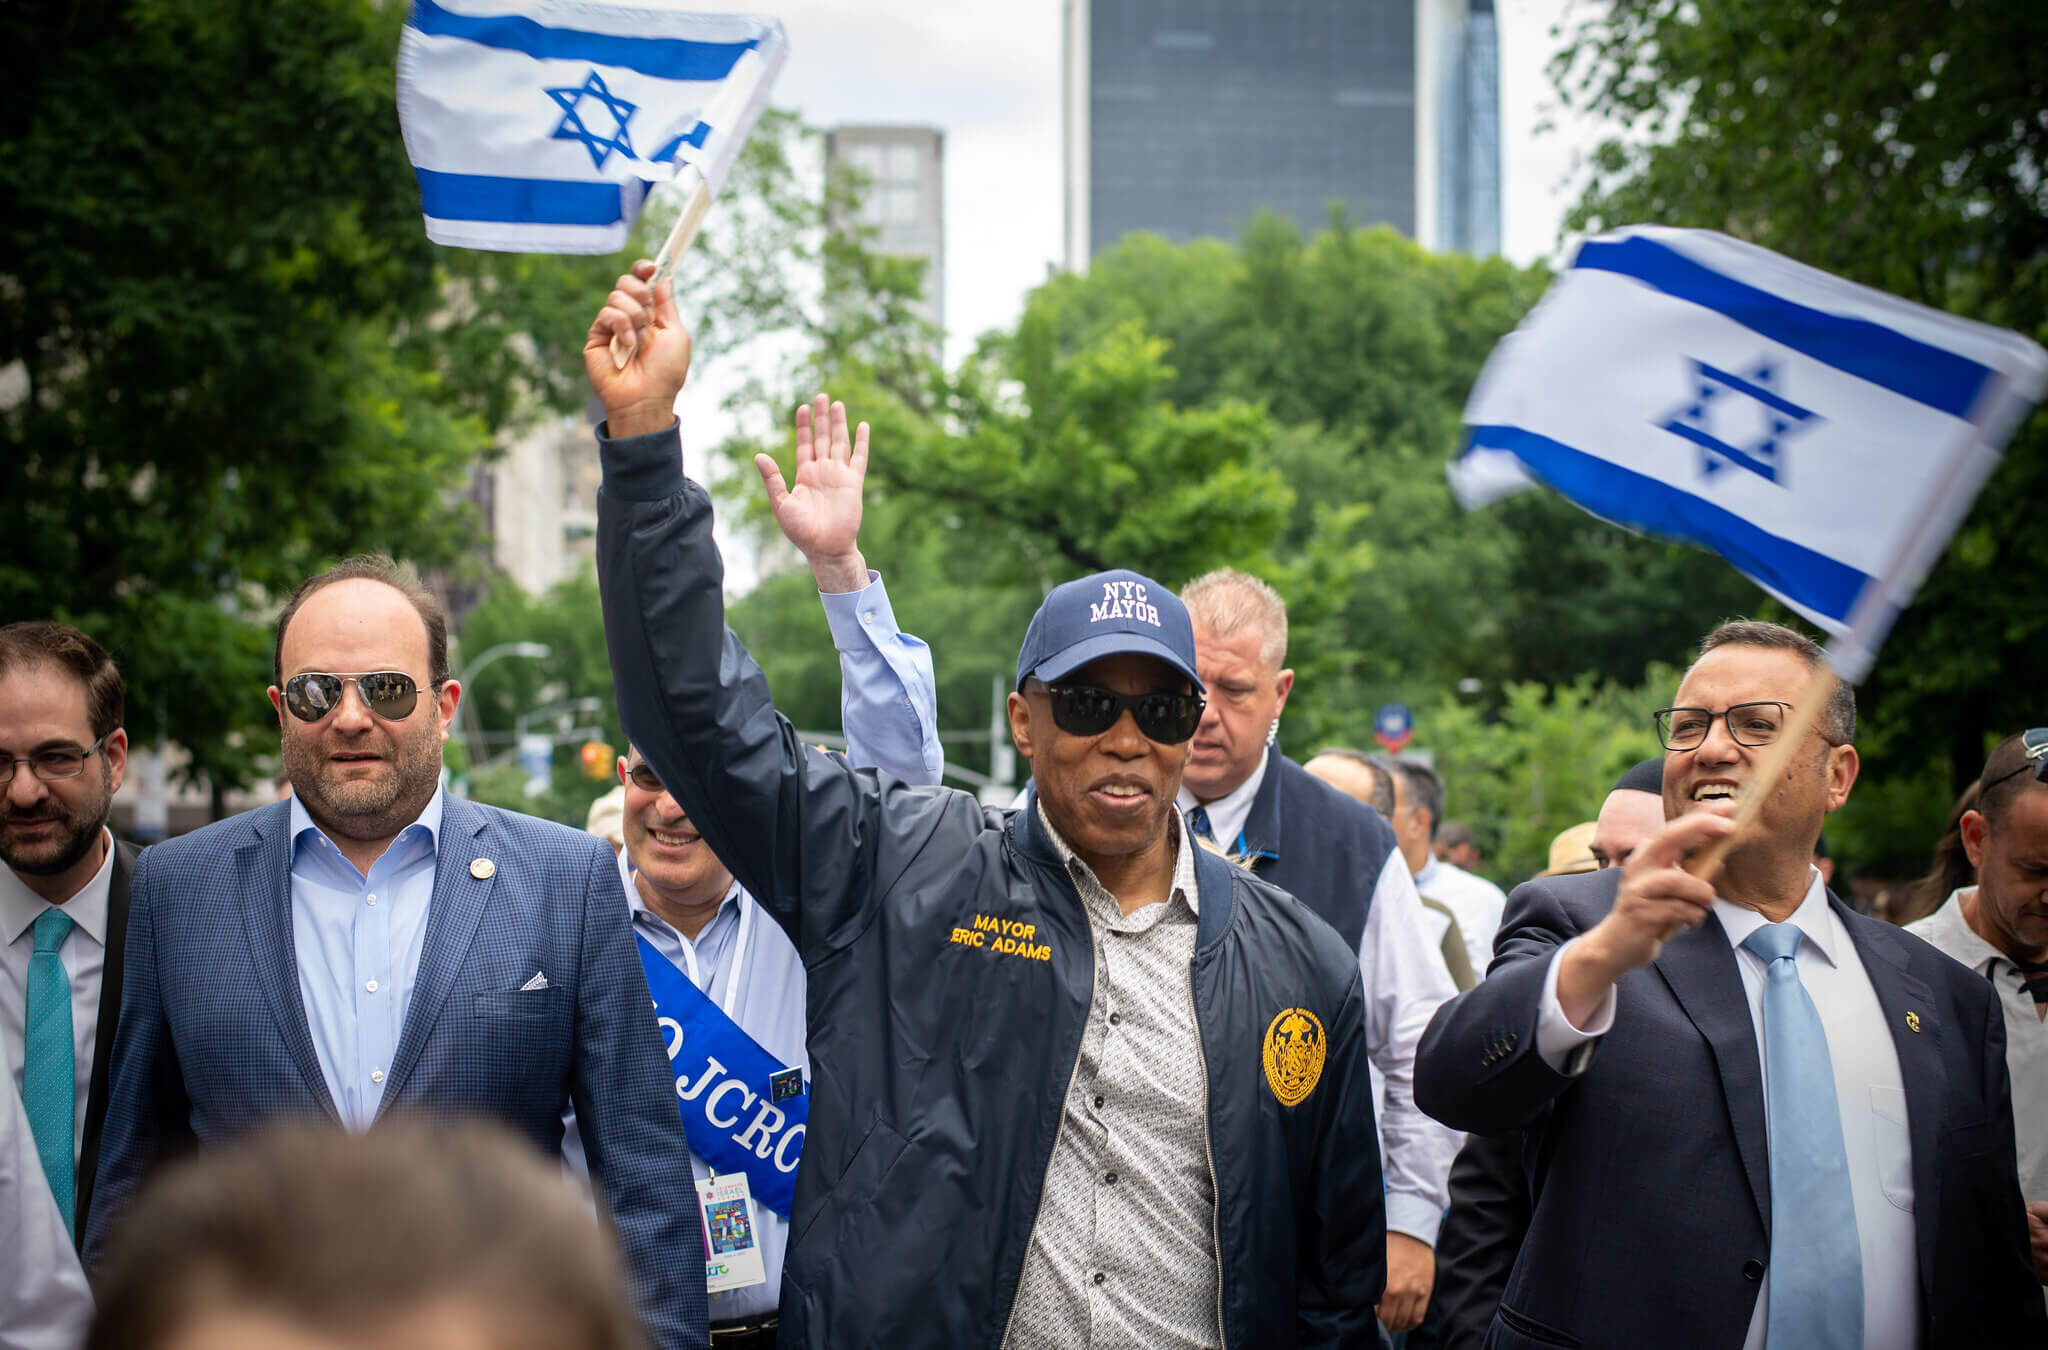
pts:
pixel 148 1111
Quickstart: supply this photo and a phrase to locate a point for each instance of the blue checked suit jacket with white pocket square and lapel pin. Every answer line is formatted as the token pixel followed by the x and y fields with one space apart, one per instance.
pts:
pixel 214 1038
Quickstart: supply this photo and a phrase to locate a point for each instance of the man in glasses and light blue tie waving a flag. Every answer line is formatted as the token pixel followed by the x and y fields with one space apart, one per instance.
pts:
pixel 1762 1117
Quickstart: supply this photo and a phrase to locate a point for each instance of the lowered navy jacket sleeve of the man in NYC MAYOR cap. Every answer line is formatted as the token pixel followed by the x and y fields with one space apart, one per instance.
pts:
pixel 1342 1232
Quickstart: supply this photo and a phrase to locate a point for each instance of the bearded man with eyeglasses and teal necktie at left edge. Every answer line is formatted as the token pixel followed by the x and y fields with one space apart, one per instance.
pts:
pixel 65 902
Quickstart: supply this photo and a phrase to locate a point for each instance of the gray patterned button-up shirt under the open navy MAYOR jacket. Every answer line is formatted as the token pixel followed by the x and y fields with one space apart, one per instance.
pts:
pixel 1125 1244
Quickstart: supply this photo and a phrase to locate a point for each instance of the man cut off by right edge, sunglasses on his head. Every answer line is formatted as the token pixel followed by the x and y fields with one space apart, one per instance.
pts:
pixel 2000 929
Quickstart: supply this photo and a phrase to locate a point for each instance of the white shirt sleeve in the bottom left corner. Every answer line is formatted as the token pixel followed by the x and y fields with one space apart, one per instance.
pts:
pixel 44 1302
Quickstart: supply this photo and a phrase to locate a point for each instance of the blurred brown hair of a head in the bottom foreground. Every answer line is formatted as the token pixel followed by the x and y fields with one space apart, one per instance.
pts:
pixel 343 1232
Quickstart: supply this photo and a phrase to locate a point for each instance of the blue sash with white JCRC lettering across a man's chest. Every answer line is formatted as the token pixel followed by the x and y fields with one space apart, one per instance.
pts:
pixel 724 1089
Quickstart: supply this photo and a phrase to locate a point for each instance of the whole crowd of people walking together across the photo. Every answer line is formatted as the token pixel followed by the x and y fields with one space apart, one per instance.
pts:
pixel 1193 1046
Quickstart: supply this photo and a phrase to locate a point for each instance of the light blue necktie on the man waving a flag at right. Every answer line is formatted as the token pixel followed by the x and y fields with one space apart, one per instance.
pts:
pixel 1818 1263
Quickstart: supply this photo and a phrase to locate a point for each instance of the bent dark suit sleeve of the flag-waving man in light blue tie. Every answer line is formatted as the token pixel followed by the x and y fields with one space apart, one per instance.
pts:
pixel 1478 1066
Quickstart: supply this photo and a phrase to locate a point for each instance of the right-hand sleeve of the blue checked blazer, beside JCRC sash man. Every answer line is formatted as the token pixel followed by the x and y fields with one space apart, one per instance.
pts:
pixel 626 1107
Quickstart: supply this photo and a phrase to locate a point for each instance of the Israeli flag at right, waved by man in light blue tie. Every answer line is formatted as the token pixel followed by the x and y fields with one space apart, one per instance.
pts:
pixel 1820 435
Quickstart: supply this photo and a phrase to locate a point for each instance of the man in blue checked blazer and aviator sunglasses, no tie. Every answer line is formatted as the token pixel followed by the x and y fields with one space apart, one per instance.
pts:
pixel 376 947
